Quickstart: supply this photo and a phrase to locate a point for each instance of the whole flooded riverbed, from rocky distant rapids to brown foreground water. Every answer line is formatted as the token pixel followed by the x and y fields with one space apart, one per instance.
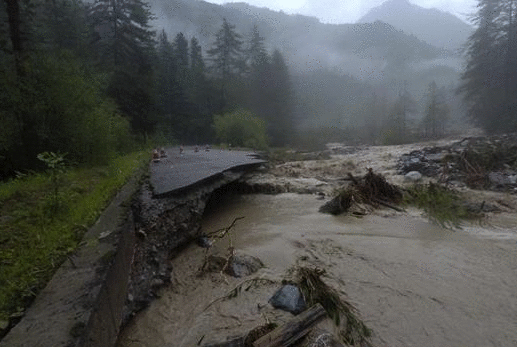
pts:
pixel 412 281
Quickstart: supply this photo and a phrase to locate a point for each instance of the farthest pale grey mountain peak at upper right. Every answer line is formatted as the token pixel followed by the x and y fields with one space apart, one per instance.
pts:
pixel 438 28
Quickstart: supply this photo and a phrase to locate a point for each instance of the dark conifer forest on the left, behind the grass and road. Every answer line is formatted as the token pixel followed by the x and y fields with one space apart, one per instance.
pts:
pixel 94 79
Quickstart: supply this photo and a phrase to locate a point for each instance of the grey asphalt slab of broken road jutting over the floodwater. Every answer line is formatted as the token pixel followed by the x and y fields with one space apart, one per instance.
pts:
pixel 179 171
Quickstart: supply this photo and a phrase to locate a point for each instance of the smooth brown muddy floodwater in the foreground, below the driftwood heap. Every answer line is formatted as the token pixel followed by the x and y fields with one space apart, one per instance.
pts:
pixel 413 282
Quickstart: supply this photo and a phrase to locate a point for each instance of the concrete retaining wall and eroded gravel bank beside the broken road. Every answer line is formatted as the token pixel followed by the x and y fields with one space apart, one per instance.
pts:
pixel 121 263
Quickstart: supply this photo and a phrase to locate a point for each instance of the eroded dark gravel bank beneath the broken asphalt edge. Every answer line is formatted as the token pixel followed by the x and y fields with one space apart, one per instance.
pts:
pixel 163 227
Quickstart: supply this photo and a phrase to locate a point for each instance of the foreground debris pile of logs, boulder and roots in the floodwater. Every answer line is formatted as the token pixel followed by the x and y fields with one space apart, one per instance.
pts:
pixel 311 301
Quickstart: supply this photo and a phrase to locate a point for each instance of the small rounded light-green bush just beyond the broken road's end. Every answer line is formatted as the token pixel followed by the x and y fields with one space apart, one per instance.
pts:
pixel 241 128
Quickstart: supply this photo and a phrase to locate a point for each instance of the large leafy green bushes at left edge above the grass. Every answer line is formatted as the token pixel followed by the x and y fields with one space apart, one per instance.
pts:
pixel 58 106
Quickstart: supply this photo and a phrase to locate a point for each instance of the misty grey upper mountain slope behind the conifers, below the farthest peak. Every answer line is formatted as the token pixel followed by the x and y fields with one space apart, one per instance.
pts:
pixel 367 51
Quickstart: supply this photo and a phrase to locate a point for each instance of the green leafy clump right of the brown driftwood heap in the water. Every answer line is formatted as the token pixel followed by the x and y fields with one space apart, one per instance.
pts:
pixel 440 203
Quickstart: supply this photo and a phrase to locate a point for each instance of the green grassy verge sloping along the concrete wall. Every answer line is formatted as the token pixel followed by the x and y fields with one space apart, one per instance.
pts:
pixel 36 236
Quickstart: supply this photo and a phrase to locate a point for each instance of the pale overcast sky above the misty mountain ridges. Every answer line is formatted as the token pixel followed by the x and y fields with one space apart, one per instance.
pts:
pixel 349 11
